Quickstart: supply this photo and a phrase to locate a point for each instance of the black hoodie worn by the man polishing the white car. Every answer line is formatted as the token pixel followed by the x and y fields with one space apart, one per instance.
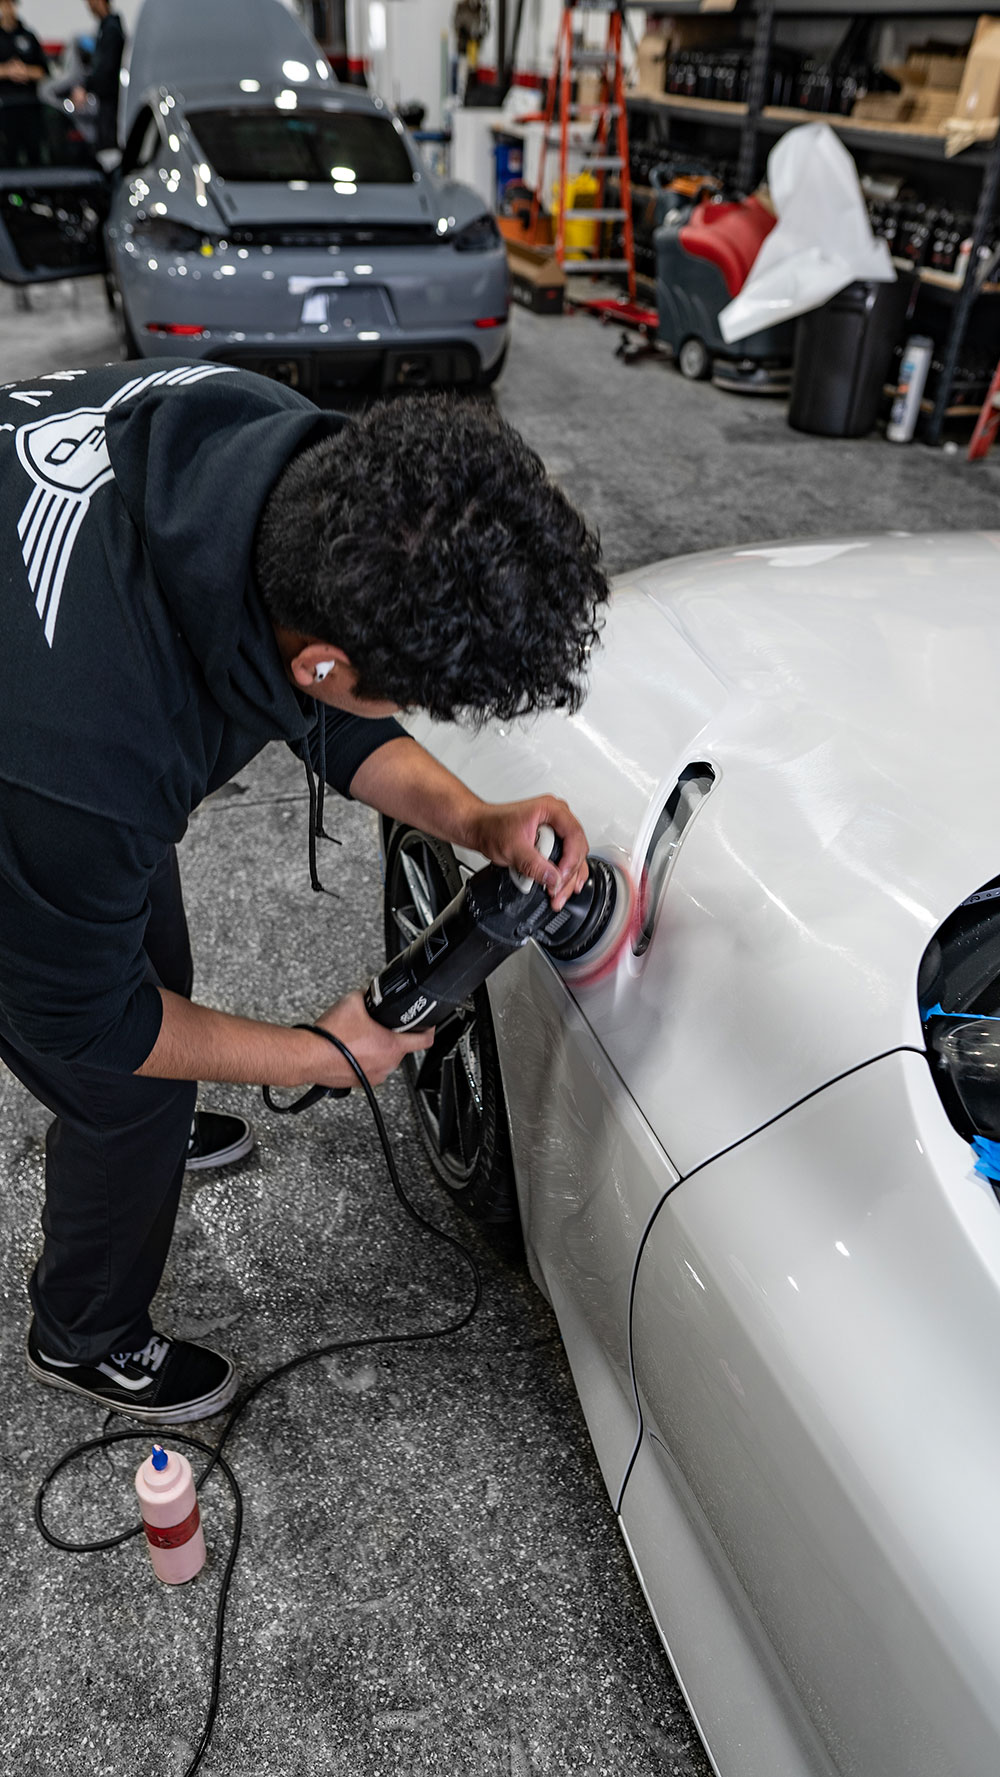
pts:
pixel 138 669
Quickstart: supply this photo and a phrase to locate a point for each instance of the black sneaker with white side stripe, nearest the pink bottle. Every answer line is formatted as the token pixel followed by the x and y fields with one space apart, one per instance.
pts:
pixel 168 1382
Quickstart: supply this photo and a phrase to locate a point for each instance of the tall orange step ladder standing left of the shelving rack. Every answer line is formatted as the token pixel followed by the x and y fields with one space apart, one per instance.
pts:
pixel 608 152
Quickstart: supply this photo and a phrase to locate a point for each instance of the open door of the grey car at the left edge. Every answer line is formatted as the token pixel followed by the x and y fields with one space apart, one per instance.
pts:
pixel 54 200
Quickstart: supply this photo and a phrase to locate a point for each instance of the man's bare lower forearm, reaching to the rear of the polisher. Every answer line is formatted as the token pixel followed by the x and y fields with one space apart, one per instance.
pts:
pixel 200 1044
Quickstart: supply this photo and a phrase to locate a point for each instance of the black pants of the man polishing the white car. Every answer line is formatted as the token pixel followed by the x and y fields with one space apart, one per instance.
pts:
pixel 115 1170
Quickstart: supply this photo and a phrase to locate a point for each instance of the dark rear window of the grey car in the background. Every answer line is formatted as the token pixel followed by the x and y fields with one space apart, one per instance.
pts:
pixel 315 147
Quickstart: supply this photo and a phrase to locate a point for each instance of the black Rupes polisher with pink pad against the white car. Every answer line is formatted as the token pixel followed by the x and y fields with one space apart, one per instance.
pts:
pixel 493 916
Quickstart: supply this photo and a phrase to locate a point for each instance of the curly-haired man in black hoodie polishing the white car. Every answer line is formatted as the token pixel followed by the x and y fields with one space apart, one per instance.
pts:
pixel 198 562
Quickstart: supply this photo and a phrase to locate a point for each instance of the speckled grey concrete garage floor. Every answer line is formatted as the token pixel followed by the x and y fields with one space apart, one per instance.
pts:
pixel 431 1575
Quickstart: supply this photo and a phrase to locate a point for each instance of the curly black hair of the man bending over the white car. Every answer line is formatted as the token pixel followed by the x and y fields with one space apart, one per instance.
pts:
pixel 427 541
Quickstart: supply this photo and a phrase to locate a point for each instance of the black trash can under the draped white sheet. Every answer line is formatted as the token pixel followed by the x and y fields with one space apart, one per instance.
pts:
pixel 845 355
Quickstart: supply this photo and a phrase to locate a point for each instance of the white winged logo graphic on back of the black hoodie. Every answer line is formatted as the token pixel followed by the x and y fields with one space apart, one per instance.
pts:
pixel 68 461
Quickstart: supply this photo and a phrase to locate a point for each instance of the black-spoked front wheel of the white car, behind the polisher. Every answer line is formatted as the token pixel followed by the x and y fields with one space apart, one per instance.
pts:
pixel 456 1087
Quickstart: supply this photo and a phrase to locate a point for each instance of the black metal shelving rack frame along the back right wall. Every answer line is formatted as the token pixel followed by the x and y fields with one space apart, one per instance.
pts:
pixel 756 122
